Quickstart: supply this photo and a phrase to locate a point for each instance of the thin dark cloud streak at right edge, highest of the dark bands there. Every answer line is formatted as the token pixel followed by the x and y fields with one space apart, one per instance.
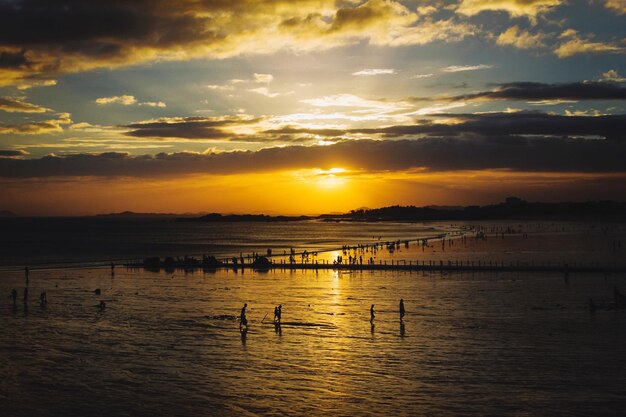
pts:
pixel 528 91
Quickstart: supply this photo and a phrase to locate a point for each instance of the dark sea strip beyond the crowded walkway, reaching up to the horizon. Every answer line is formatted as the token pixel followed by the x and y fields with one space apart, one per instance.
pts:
pixel 91 240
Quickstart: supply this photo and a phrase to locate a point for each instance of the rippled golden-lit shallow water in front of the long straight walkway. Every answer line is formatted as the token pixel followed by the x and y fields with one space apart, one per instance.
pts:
pixel 471 344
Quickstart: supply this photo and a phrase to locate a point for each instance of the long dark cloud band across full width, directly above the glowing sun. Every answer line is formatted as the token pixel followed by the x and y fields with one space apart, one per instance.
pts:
pixel 461 152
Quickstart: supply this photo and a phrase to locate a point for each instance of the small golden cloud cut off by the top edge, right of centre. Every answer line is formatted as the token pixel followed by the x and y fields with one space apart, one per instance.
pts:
pixel 516 8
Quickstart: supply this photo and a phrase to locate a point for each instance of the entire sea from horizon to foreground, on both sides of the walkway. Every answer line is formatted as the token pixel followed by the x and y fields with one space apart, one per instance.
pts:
pixel 169 343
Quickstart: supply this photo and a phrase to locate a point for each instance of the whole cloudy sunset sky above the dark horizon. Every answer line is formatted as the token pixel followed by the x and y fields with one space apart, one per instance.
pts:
pixel 308 106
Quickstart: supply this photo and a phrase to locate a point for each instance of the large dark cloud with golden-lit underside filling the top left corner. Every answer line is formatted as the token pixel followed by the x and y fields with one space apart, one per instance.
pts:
pixel 80 36
